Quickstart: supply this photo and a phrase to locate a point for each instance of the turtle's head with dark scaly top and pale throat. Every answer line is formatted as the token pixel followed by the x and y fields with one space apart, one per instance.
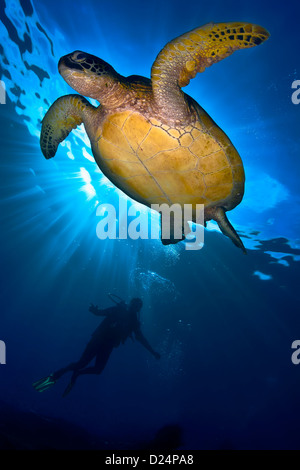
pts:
pixel 87 74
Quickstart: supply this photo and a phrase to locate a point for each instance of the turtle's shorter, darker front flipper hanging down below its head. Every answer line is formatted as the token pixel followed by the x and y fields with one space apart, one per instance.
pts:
pixel 65 114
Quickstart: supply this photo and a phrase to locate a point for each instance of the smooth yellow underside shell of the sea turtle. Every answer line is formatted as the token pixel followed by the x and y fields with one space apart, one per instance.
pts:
pixel 155 163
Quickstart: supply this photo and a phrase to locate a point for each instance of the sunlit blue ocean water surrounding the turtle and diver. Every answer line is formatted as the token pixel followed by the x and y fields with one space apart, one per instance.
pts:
pixel 223 322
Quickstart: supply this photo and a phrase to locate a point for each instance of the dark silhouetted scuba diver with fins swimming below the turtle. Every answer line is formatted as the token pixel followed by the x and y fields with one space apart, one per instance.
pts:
pixel 120 322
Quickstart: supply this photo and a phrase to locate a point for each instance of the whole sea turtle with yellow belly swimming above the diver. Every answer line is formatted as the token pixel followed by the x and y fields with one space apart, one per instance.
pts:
pixel 152 140
